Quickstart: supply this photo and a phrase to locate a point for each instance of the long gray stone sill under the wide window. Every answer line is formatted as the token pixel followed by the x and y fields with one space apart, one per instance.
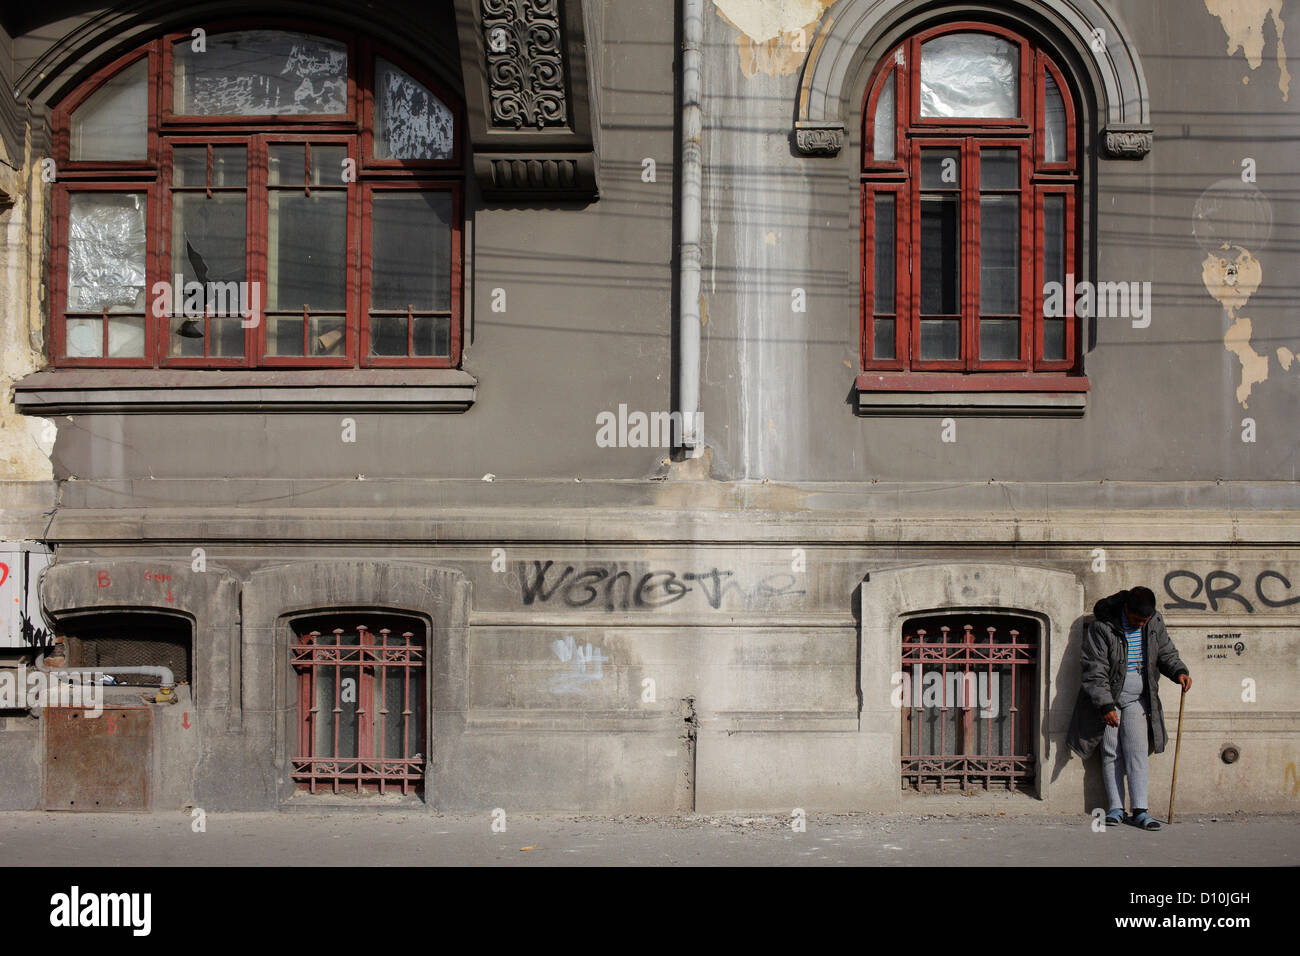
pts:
pixel 81 392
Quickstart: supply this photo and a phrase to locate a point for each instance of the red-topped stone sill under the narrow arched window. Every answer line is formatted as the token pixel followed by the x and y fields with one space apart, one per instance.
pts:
pixel 943 393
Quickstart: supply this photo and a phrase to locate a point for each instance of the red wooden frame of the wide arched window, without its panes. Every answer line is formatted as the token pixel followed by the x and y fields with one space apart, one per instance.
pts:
pixel 153 178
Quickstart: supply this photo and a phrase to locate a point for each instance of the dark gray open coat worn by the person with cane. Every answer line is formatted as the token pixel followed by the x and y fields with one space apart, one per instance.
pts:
pixel 1104 660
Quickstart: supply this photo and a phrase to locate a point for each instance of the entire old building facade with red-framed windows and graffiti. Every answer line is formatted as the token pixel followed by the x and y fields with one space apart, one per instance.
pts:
pixel 560 405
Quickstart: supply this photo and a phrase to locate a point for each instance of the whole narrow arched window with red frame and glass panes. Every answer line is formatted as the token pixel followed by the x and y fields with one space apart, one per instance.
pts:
pixel 970 183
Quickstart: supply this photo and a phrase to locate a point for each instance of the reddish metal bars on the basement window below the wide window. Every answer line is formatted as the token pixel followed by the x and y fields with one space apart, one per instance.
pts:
pixel 358 760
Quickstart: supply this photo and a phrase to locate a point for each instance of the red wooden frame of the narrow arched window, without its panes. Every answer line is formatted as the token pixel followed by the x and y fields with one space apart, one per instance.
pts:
pixel 902 178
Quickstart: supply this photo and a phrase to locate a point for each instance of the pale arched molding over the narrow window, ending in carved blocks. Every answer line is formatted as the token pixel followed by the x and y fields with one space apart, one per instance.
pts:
pixel 852 29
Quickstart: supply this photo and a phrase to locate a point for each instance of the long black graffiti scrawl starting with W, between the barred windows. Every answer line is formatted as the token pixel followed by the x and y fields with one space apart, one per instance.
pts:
pixel 622 591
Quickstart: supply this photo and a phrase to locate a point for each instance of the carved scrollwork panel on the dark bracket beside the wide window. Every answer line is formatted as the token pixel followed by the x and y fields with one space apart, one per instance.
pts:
pixel 526 63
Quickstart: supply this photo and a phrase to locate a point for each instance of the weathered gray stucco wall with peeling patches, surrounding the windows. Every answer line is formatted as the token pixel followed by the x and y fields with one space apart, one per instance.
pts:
pixel 775 663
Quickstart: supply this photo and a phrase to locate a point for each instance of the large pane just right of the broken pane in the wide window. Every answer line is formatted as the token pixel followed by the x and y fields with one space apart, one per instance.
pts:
pixel 307 263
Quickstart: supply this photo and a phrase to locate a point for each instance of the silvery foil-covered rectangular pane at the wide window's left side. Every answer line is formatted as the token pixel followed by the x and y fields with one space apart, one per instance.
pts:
pixel 106 253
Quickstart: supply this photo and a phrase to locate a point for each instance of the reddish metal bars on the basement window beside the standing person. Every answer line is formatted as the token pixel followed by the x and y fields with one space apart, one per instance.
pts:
pixel 1000 758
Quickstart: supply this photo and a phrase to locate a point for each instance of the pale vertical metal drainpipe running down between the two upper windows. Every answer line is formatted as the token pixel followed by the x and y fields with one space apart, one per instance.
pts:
pixel 690 257
